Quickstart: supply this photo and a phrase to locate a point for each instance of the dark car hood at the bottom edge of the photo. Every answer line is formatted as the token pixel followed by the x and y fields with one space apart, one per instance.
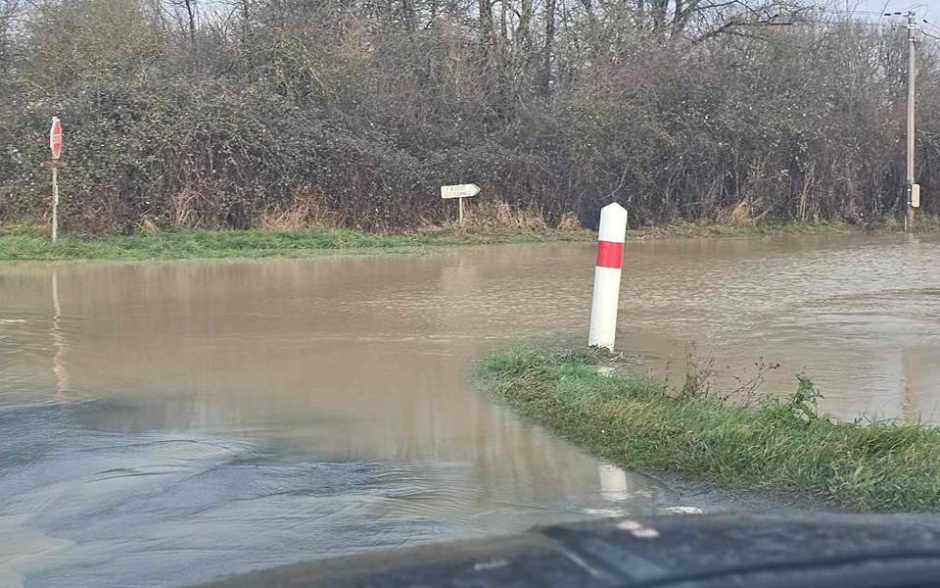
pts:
pixel 688 550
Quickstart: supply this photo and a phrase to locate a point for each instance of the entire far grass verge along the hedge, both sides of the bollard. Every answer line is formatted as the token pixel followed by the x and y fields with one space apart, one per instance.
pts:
pixel 30 243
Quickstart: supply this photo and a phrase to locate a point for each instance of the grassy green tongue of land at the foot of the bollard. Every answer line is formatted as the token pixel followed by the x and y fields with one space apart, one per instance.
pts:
pixel 778 446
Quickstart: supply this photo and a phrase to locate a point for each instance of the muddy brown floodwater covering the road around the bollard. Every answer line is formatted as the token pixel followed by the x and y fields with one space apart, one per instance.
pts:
pixel 168 423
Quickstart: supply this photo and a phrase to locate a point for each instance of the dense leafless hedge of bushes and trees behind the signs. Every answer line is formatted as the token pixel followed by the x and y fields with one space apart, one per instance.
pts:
pixel 254 112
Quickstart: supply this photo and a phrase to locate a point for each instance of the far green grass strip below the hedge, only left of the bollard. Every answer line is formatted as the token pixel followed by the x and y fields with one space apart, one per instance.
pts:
pixel 26 243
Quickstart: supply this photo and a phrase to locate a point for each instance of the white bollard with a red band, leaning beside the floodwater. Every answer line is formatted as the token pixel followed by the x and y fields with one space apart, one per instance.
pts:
pixel 610 238
